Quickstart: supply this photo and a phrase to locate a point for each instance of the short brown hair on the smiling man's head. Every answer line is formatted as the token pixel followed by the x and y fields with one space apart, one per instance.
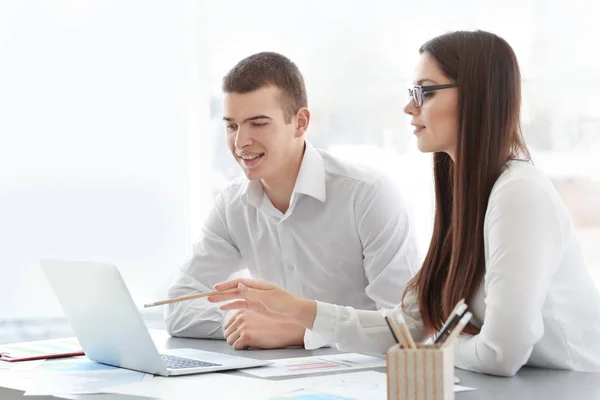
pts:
pixel 269 69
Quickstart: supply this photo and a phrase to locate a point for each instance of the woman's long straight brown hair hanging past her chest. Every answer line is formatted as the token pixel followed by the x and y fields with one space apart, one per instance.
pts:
pixel 486 71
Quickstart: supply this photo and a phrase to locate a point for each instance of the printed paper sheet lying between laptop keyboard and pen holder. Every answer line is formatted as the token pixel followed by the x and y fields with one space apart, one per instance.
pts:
pixel 308 365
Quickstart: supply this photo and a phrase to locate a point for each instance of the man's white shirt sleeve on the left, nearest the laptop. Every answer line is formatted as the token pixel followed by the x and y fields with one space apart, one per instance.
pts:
pixel 214 259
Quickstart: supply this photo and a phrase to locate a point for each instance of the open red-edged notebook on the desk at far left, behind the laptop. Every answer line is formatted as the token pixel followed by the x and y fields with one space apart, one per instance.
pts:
pixel 42 349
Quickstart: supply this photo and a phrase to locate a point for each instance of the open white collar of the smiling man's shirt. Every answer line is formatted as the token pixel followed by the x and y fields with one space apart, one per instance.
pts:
pixel 310 180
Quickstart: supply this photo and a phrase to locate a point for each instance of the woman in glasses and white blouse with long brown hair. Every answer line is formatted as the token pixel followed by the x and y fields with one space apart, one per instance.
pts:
pixel 502 239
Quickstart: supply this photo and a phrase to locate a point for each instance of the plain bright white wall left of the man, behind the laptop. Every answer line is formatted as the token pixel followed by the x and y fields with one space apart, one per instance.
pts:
pixel 97 103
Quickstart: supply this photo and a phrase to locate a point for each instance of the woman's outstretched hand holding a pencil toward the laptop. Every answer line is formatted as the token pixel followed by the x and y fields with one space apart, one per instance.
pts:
pixel 267 299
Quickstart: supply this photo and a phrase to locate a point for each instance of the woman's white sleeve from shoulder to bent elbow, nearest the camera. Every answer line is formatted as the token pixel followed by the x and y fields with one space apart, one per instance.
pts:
pixel 523 235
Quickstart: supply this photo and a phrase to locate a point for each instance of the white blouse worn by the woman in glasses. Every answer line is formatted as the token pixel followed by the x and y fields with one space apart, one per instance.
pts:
pixel 537 304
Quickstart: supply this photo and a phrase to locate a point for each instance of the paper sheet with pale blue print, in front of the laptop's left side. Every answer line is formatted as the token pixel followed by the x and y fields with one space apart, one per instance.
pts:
pixel 79 375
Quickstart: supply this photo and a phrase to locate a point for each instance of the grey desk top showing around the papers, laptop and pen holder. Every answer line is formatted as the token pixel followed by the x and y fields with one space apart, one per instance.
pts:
pixel 530 383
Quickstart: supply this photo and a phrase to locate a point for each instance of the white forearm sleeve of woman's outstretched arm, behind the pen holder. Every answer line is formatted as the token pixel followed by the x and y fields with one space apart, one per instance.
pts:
pixel 361 330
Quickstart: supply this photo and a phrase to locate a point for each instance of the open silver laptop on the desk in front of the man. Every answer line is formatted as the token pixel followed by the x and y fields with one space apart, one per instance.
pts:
pixel 111 330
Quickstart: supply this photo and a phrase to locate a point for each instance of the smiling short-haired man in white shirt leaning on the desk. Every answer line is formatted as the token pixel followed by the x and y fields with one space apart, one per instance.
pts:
pixel 313 224
